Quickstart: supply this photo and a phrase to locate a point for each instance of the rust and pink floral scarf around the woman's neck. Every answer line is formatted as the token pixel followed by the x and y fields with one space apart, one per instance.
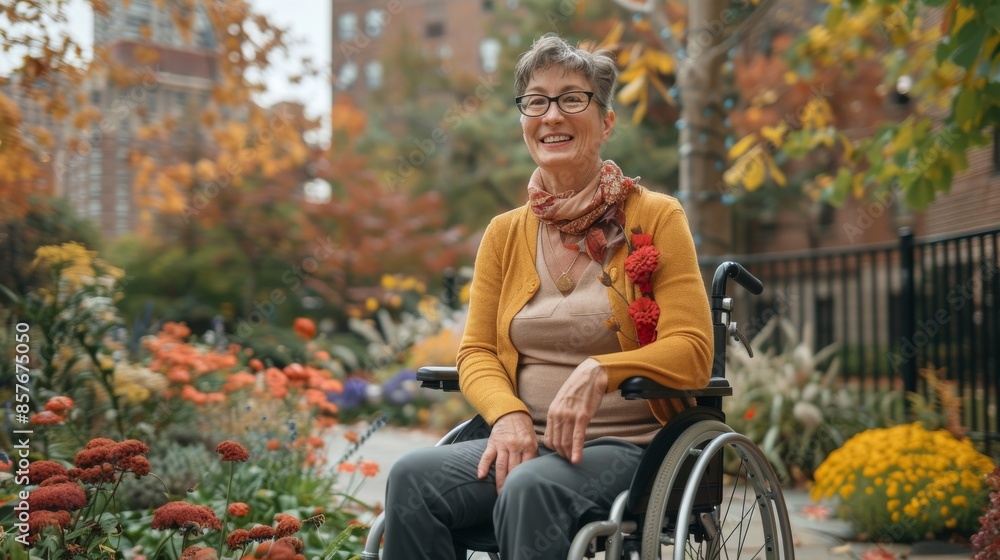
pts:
pixel 595 211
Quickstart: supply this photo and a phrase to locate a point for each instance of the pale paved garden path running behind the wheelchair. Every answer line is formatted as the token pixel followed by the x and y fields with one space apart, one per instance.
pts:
pixel 815 538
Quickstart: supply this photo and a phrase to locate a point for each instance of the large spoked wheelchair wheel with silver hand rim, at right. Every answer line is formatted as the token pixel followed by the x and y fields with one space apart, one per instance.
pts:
pixel 697 512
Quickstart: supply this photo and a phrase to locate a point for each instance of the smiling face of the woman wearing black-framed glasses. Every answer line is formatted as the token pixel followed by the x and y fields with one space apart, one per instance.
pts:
pixel 558 141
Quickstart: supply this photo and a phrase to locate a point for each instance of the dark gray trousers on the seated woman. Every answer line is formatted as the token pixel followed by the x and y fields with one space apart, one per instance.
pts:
pixel 436 507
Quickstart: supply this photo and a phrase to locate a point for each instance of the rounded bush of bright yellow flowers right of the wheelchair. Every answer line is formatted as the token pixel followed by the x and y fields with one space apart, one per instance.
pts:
pixel 906 483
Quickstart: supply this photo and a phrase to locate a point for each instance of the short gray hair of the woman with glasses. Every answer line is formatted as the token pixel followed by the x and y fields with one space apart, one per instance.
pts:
pixel 551 50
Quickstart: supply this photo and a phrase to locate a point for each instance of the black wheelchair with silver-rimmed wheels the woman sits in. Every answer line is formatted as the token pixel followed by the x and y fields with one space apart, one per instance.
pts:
pixel 700 491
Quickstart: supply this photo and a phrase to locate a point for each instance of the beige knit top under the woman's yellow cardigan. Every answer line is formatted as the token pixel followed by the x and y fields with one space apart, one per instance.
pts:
pixel 553 333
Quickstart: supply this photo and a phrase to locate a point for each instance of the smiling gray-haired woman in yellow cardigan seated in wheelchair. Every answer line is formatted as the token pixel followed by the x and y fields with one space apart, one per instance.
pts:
pixel 562 309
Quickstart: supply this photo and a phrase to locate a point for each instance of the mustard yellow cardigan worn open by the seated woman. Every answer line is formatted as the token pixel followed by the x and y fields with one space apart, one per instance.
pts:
pixel 505 279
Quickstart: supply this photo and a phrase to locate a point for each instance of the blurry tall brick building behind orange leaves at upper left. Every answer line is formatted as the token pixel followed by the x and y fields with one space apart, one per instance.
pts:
pixel 140 35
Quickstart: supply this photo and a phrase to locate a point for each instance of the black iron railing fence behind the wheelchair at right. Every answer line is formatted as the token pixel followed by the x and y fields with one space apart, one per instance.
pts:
pixel 893 309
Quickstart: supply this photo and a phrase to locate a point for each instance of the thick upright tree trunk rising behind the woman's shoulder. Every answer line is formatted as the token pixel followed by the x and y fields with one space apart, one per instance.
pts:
pixel 702 138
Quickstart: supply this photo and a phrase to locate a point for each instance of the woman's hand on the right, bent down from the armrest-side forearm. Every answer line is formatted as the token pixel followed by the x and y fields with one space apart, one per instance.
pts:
pixel 573 407
